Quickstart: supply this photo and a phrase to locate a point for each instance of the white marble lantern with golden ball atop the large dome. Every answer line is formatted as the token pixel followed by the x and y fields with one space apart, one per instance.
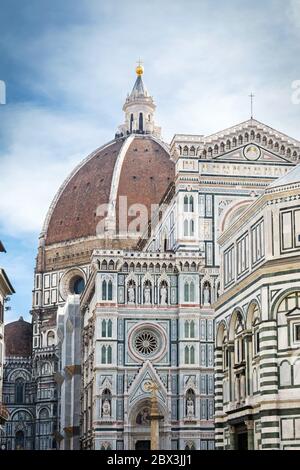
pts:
pixel 139 109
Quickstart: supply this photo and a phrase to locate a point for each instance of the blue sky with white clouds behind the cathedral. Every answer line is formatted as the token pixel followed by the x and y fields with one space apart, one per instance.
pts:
pixel 69 65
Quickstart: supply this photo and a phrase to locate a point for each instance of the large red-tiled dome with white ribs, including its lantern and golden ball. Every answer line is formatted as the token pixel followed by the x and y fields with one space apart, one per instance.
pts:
pixel 110 197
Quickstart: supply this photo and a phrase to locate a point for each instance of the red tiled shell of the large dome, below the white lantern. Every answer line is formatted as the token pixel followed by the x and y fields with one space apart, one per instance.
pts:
pixel 138 167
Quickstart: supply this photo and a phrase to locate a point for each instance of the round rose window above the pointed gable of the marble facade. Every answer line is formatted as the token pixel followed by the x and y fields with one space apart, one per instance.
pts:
pixel 147 341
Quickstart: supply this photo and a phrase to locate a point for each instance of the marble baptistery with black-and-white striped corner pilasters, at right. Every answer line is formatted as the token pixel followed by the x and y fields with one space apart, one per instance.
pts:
pixel 257 353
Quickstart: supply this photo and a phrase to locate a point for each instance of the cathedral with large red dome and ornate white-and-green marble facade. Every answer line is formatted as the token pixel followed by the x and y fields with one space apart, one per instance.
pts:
pixel 128 277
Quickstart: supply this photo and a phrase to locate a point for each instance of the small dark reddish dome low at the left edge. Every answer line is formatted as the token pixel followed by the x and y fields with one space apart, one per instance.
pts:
pixel 18 338
